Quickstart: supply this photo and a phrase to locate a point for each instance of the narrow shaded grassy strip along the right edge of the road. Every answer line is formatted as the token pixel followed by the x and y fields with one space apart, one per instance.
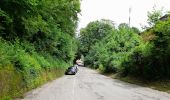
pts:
pixel 161 85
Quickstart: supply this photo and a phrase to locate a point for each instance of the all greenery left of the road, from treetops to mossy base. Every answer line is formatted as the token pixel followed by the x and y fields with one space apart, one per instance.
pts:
pixel 37 40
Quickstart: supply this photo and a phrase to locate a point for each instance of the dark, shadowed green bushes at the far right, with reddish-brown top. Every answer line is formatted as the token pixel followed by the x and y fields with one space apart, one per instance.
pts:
pixel 151 59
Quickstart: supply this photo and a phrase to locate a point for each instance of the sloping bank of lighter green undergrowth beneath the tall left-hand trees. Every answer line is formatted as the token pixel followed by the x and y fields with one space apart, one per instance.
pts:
pixel 22 68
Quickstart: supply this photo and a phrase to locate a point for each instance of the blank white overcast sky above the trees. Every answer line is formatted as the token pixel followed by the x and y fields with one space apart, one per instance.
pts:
pixel 118 11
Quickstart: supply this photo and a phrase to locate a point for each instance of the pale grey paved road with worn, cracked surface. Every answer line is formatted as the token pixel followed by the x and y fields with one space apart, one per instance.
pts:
pixel 87 84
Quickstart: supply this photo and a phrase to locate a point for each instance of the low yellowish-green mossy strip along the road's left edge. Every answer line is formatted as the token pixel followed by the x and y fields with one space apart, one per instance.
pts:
pixel 12 84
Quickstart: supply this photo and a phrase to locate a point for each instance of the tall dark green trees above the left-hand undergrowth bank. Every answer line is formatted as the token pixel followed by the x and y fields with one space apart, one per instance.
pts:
pixel 48 24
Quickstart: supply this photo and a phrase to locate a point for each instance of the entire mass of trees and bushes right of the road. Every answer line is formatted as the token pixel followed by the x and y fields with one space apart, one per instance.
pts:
pixel 124 50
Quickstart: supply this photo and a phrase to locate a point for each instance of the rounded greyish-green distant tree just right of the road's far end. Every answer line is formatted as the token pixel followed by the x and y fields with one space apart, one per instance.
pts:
pixel 93 33
